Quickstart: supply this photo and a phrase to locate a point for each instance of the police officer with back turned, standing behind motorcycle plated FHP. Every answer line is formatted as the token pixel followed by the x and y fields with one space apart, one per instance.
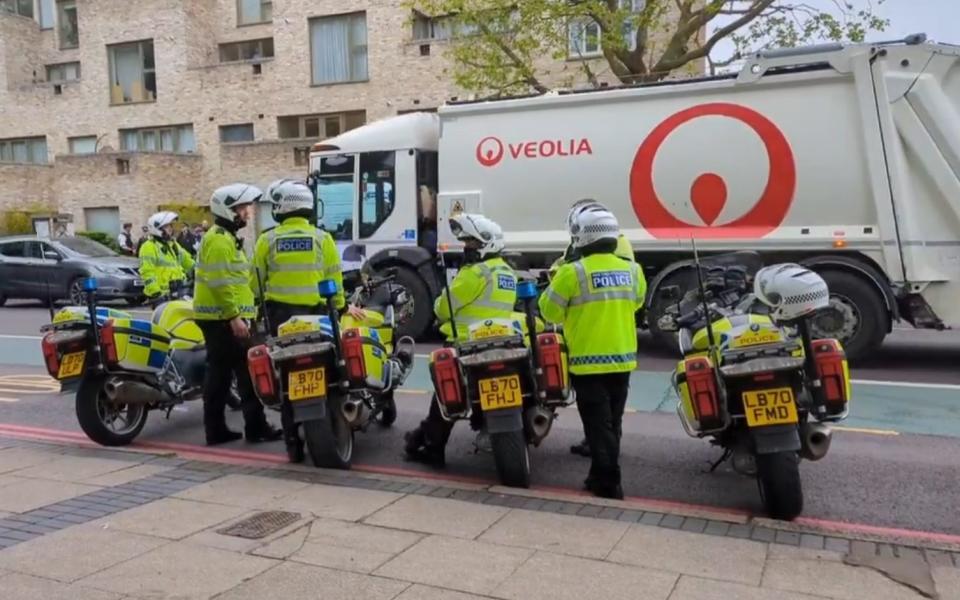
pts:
pixel 290 261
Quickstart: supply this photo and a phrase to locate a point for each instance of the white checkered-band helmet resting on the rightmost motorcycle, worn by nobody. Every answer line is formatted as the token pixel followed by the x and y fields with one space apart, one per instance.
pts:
pixel 791 291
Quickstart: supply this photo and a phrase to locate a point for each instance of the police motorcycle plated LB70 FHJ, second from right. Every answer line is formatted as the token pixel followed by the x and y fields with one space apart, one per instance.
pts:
pixel 508 377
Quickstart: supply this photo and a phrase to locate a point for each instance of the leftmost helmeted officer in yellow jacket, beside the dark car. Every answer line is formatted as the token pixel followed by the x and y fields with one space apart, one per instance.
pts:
pixel 162 259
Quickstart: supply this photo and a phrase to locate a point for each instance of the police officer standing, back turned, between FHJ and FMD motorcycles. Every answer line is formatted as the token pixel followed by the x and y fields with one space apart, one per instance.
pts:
pixel 595 298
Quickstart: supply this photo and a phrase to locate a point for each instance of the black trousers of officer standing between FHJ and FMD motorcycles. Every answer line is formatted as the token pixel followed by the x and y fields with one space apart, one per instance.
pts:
pixel 600 401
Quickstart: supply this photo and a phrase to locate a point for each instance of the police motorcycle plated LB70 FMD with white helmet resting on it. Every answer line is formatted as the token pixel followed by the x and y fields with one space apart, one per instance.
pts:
pixel 752 379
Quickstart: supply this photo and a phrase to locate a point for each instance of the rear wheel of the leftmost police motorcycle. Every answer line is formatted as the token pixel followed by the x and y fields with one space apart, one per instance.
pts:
pixel 104 422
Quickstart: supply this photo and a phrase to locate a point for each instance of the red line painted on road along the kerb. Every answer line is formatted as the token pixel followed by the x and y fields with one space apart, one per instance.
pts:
pixel 245 457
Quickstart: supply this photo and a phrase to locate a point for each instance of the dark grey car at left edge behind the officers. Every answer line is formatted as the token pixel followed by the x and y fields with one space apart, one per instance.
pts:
pixel 53 269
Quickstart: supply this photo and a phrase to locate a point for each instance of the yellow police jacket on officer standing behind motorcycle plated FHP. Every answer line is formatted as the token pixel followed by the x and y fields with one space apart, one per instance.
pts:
pixel 292 259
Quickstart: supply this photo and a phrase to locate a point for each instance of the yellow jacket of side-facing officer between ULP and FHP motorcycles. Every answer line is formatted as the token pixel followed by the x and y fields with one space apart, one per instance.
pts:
pixel 222 285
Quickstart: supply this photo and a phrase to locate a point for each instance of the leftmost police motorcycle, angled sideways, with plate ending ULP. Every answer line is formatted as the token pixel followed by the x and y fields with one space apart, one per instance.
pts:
pixel 126 366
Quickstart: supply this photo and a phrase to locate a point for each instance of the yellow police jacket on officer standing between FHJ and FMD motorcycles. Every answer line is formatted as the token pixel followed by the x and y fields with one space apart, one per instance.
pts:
pixel 595 299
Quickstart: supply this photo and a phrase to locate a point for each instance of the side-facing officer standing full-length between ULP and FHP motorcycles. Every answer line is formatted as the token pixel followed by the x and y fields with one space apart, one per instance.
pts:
pixel 223 306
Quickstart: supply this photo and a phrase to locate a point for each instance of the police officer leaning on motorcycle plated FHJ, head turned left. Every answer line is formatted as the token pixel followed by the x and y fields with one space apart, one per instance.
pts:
pixel 485 288
